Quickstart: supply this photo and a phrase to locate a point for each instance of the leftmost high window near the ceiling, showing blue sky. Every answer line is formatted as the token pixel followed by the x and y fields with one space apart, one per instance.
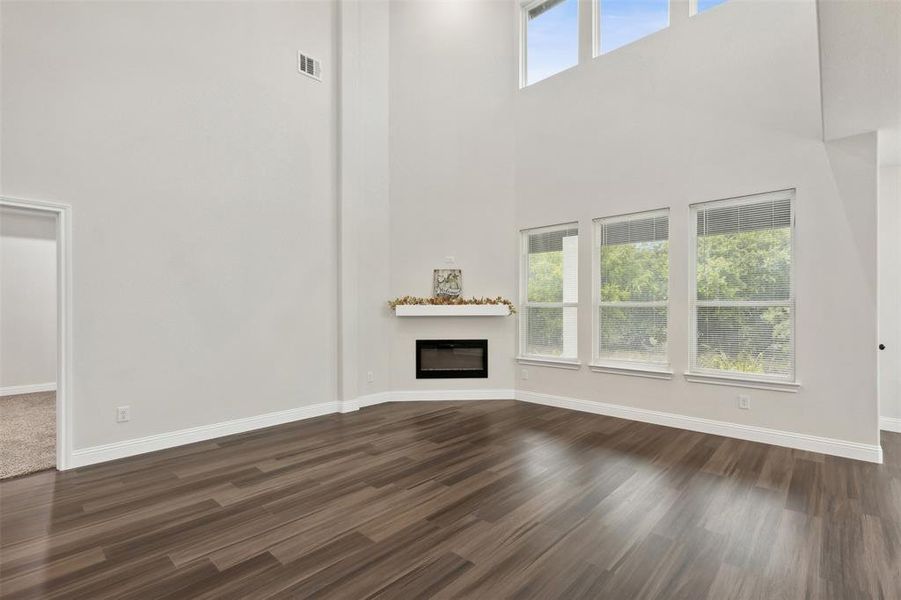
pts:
pixel 550 38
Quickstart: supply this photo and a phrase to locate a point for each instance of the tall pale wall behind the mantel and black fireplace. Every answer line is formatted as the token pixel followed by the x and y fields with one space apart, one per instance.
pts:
pixel 452 78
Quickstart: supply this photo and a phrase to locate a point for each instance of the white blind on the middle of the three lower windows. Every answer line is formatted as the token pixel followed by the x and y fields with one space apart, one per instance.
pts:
pixel 632 288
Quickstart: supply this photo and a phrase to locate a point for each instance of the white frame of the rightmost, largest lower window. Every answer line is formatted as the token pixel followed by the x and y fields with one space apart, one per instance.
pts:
pixel 698 374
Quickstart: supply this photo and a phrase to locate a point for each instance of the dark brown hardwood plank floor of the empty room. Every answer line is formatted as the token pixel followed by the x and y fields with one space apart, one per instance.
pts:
pixel 459 500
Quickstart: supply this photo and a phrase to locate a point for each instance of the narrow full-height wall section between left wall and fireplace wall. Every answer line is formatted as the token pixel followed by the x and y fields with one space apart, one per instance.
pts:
pixel 366 320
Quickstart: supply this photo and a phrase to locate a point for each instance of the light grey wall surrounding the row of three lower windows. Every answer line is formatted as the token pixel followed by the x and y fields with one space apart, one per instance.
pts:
pixel 720 105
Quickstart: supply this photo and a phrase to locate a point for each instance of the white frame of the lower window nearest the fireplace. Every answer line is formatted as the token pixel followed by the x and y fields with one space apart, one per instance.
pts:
pixel 524 304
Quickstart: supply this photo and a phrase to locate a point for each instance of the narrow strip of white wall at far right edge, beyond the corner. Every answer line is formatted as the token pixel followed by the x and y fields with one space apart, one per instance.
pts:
pixel 890 294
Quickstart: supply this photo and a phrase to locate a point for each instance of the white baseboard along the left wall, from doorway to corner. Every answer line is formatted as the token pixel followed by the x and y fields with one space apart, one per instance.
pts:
pixel 151 443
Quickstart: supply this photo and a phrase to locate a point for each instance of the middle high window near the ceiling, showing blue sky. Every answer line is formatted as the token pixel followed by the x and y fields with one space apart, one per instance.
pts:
pixel 621 22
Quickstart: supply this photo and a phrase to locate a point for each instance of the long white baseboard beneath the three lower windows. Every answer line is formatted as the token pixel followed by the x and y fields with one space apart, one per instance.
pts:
pixel 789 439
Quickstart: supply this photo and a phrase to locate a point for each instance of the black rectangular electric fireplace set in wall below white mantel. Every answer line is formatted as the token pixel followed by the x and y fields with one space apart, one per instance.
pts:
pixel 451 359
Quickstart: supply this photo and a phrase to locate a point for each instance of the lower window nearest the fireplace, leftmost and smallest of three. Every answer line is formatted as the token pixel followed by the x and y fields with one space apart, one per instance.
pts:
pixel 550 292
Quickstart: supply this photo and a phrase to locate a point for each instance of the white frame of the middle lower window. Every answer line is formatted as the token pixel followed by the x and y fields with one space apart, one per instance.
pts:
pixel 598 363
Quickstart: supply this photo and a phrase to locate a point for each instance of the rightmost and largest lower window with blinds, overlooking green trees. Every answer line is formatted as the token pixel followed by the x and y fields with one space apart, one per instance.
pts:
pixel 742 301
